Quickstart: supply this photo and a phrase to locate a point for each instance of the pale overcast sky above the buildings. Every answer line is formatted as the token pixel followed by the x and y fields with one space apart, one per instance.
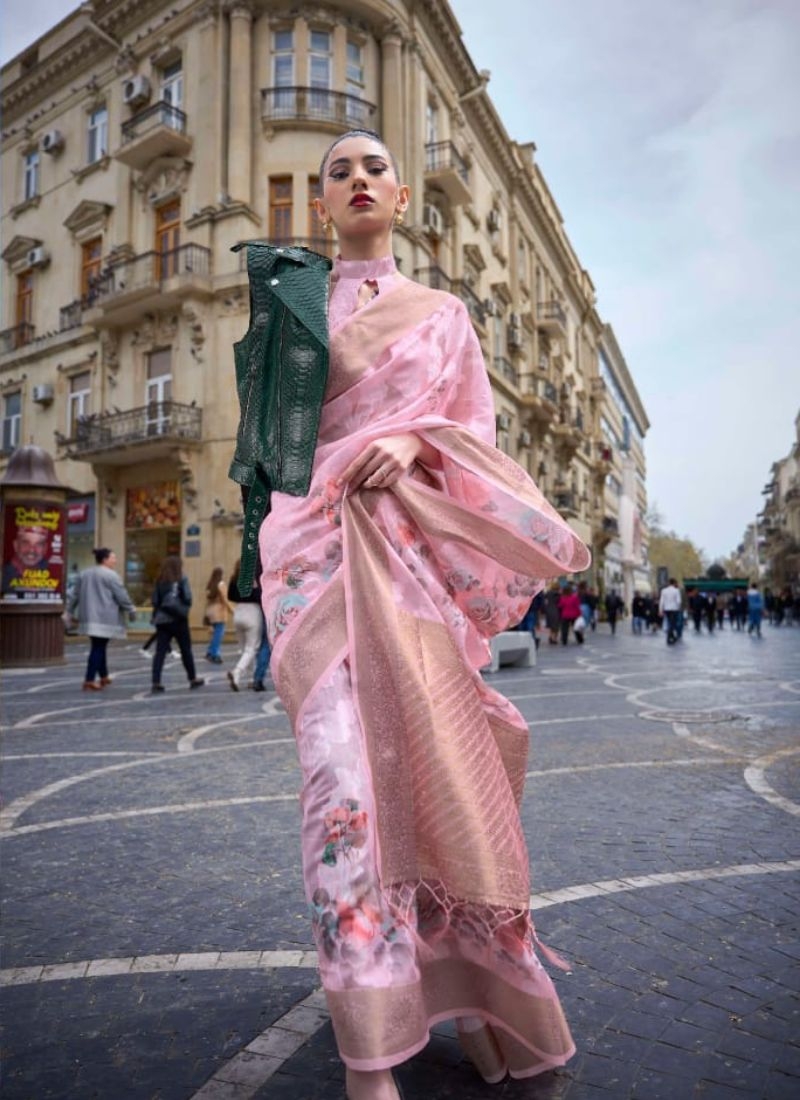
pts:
pixel 670 134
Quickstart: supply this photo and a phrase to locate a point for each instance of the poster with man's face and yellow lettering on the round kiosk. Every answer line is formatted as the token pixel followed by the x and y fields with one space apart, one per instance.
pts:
pixel 34 552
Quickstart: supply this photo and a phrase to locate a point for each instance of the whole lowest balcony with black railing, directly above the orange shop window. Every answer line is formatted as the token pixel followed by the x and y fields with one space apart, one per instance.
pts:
pixel 136 436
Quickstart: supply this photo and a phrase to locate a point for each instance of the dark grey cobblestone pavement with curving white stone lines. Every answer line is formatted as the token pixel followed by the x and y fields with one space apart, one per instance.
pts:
pixel 157 941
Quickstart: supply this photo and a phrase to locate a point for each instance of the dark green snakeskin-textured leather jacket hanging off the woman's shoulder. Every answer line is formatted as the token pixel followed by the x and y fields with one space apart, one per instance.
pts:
pixel 282 371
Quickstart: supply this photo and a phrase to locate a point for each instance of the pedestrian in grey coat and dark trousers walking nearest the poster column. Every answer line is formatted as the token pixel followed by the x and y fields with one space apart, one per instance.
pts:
pixel 101 602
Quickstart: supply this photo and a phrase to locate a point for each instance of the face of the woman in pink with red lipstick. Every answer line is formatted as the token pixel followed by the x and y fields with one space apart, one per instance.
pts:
pixel 360 191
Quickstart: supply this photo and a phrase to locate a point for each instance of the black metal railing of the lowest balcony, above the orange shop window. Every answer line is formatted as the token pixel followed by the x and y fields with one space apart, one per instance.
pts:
pixel 161 420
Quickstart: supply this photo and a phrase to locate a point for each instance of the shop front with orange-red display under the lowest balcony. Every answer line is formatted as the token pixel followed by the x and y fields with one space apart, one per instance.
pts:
pixel 152 533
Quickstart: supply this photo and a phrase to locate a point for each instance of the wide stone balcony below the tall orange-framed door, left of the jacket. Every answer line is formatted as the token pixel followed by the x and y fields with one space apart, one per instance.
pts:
pixel 154 280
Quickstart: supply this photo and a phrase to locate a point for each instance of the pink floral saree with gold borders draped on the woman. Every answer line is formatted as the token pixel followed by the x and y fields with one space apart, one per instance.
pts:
pixel 379 606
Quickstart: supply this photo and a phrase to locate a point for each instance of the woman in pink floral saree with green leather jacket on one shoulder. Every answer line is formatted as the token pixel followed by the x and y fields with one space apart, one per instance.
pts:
pixel 390 556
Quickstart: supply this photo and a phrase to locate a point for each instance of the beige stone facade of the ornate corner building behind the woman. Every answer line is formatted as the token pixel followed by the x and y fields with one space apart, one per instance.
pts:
pixel 143 142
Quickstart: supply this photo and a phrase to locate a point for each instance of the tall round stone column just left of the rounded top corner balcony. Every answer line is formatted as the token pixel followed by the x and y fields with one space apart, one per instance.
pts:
pixel 240 130
